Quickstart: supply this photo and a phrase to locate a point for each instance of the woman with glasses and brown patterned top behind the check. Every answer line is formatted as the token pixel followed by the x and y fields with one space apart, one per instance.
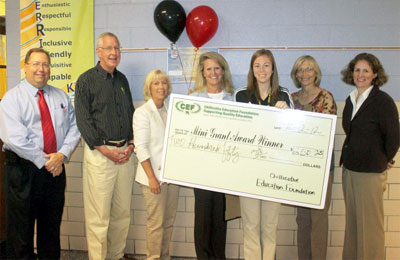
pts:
pixel 312 234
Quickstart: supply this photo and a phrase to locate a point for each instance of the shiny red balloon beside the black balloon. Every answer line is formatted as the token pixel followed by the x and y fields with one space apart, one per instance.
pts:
pixel 201 25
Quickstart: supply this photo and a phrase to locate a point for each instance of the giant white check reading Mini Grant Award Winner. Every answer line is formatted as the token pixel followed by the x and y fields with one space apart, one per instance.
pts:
pixel 248 150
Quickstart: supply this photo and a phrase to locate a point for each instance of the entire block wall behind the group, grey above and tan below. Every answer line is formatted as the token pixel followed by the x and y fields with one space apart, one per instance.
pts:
pixel 247 23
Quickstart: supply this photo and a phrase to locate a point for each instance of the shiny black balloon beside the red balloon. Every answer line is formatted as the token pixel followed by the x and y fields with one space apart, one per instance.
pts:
pixel 170 19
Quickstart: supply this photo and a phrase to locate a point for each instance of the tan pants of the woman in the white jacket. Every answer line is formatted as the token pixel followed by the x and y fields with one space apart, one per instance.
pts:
pixel 161 212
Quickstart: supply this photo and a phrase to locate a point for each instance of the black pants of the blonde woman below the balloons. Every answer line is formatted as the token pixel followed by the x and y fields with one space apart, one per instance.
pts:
pixel 209 224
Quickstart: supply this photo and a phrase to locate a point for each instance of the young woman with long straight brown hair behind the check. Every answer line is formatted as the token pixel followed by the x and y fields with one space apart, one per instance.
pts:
pixel 260 217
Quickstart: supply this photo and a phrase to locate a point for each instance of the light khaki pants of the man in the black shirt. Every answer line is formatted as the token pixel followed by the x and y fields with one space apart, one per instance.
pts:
pixel 107 192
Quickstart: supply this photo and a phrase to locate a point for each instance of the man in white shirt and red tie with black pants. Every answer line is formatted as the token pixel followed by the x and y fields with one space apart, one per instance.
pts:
pixel 39 131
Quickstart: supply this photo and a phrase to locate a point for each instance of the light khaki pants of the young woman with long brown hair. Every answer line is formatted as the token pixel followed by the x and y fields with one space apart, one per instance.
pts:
pixel 260 222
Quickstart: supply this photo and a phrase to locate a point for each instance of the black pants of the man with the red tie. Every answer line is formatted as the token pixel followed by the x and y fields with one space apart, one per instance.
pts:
pixel 32 194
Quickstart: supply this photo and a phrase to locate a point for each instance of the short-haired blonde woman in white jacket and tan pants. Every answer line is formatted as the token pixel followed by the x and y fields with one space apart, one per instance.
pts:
pixel 161 199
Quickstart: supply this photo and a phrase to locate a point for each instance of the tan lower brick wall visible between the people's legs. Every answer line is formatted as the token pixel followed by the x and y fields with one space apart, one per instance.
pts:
pixel 73 231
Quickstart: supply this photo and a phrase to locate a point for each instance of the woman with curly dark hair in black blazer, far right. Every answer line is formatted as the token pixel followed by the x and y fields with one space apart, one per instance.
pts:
pixel 371 123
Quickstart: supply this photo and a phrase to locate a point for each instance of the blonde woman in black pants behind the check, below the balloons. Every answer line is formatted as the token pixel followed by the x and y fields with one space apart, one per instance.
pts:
pixel 213 80
